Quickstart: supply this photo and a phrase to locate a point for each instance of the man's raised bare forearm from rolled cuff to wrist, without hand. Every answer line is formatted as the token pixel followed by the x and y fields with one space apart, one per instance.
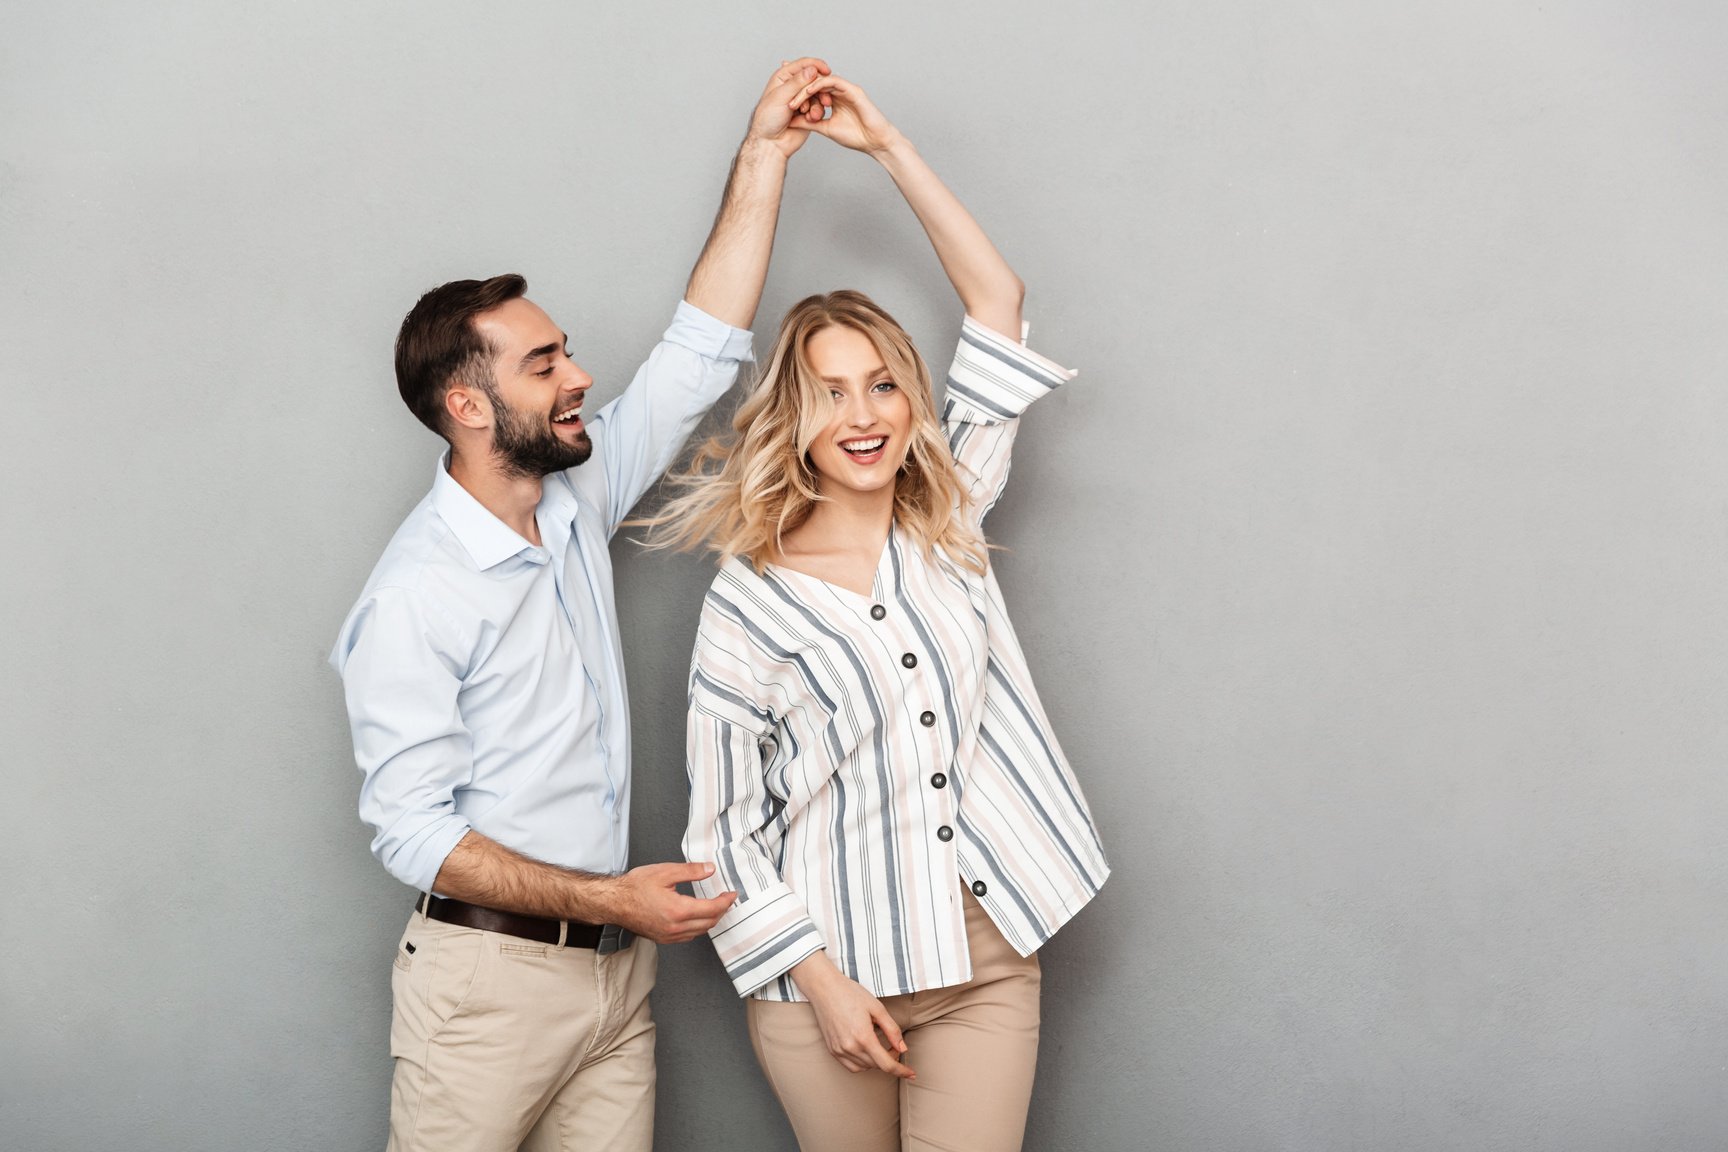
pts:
pixel 728 279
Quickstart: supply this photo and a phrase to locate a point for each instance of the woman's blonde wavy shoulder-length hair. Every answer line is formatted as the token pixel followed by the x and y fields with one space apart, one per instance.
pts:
pixel 742 493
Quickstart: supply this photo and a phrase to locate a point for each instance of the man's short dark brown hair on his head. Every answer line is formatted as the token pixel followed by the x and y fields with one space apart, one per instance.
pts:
pixel 440 345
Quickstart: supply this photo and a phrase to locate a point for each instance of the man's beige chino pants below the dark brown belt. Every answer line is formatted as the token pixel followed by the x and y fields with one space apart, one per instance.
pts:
pixel 504 1042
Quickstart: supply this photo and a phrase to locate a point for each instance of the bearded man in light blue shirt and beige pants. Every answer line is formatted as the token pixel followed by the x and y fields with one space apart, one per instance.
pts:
pixel 486 695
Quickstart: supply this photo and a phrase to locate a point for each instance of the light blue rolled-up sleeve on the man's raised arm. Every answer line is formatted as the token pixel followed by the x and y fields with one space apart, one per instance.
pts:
pixel 640 433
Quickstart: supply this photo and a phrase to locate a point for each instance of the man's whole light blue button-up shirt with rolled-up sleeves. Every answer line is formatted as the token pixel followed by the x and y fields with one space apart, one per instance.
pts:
pixel 483 674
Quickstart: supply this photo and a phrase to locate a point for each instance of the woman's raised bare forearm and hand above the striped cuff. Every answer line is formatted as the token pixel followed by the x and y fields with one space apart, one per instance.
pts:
pixel 988 286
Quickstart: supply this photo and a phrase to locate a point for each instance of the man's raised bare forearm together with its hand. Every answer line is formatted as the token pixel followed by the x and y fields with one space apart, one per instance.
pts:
pixel 728 279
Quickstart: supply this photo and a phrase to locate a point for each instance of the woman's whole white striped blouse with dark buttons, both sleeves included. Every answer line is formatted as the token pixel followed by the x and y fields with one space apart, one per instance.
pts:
pixel 856 759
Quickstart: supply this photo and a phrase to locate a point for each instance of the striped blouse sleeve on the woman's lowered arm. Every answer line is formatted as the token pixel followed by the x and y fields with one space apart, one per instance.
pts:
pixel 737 823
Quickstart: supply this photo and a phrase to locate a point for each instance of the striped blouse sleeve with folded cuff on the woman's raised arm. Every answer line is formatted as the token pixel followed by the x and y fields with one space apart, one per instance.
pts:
pixel 991 383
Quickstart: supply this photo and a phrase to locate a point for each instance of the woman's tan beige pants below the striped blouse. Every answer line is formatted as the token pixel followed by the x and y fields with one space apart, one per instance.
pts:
pixel 975 1049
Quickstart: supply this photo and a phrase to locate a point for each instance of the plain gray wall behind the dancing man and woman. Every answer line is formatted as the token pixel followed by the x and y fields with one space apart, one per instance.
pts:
pixel 1373 569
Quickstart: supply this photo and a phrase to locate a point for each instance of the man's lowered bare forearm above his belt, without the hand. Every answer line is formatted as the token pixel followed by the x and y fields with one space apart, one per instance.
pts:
pixel 483 871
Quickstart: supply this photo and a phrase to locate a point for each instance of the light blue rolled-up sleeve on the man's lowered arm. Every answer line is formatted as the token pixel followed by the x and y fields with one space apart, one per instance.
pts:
pixel 402 685
